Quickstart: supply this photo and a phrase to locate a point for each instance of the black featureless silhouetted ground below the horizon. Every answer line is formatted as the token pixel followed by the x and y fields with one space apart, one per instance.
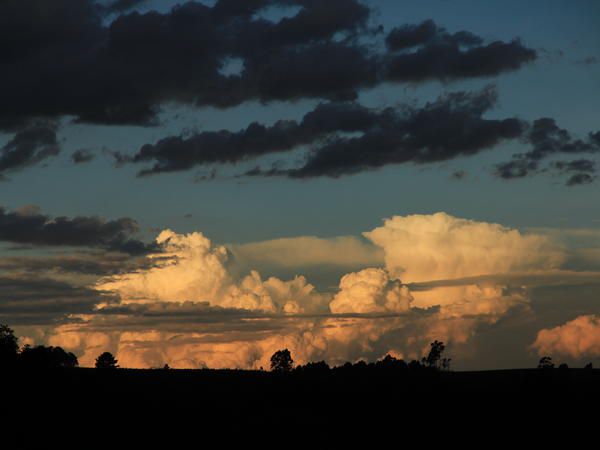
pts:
pixel 154 404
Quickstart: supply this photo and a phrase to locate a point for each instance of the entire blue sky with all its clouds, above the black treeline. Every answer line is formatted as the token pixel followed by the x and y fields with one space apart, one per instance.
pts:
pixel 203 183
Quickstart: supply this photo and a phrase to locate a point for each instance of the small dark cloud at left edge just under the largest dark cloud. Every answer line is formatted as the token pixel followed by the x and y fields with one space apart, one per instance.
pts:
pixel 29 146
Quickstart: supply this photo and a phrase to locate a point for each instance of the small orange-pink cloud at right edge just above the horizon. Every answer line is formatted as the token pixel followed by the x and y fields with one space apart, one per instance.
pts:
pixel 577 338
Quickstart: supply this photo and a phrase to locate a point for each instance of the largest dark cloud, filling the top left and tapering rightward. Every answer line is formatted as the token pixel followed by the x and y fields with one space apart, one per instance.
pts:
pixel 61 58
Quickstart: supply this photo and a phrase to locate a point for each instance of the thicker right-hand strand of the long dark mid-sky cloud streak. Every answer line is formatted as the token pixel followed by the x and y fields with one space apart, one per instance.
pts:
pixel 449 127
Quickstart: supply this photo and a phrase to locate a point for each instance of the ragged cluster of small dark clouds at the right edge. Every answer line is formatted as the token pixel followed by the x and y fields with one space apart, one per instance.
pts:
pixel 547 140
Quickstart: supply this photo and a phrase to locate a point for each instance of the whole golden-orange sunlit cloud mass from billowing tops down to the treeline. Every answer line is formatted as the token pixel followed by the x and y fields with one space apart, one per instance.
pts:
pixel 212 317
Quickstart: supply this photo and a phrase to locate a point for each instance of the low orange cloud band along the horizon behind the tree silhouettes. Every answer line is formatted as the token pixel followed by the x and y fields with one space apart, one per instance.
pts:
pixel 335 339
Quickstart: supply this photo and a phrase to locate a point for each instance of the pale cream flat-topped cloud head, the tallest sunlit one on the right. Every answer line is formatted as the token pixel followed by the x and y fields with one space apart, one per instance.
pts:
pixel 440 246
